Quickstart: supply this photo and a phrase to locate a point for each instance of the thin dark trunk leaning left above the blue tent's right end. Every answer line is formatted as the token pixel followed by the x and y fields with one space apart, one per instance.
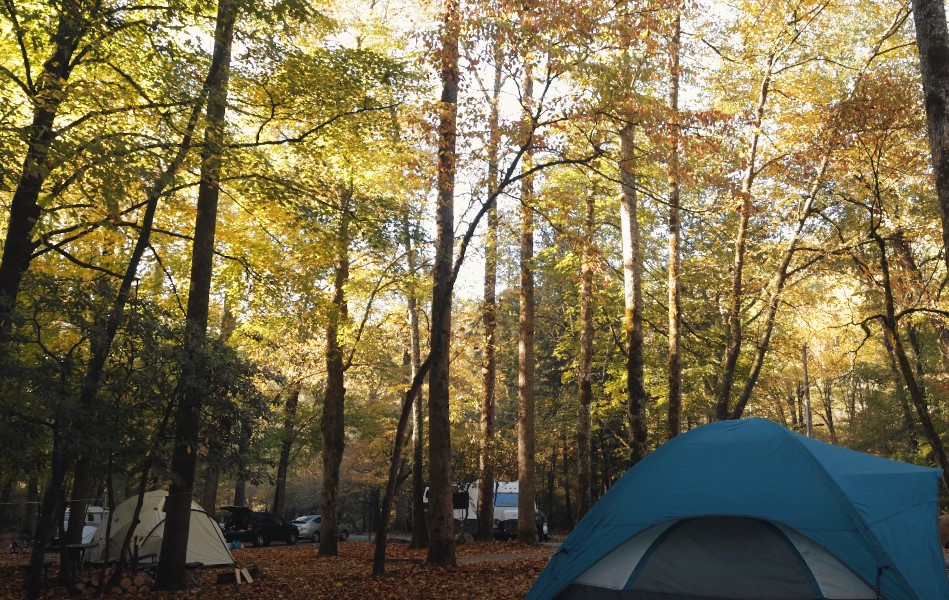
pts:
pixel 891 331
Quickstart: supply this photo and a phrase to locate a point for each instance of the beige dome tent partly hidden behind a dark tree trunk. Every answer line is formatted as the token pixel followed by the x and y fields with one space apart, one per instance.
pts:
pixel 205 541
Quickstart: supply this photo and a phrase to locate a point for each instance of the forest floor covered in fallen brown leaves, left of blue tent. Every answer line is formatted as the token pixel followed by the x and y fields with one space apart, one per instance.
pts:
pixel 485 570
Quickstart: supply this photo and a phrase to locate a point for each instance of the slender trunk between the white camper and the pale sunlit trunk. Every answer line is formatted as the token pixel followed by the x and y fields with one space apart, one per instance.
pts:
pixel 585 362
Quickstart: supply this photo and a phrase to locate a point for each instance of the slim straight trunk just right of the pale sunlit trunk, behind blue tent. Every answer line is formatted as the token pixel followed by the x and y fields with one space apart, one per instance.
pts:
pixel 674 243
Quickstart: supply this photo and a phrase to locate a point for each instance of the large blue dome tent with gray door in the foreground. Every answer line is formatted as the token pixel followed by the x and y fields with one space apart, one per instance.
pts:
pixel 748 510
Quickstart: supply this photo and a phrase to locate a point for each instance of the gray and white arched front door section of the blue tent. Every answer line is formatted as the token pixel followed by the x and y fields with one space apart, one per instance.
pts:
pixel 733 558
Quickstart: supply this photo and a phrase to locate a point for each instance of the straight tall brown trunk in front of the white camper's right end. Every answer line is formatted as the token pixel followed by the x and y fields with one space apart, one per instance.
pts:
pixel 526 522
